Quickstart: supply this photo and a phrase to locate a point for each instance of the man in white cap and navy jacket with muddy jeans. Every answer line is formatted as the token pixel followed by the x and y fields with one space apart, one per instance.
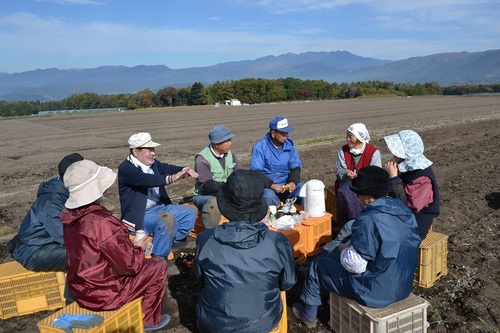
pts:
pixel 145 204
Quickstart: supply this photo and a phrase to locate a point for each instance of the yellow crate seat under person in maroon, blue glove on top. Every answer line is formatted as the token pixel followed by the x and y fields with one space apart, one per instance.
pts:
pixel 129 319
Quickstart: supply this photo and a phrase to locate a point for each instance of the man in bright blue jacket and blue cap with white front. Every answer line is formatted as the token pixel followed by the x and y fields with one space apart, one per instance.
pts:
pixel 276 156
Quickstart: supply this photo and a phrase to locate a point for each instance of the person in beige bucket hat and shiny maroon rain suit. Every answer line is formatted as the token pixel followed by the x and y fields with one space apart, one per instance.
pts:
pixel 106 269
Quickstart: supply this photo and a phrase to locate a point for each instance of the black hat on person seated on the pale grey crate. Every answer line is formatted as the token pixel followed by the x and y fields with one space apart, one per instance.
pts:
pixel 371 180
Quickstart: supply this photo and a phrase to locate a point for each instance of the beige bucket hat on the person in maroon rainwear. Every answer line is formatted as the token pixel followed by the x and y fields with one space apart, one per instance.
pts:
pixel 86 182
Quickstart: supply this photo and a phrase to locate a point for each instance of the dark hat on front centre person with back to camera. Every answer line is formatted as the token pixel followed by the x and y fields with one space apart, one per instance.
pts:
pixel 241 198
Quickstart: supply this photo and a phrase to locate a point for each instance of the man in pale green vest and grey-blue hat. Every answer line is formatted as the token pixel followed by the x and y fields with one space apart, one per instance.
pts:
pixel 213 164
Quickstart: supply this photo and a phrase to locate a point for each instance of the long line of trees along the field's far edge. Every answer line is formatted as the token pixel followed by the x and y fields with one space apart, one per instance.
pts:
pixel 247 91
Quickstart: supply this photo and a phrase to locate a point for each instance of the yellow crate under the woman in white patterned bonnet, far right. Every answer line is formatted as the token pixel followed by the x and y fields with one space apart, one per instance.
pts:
pixel 432 258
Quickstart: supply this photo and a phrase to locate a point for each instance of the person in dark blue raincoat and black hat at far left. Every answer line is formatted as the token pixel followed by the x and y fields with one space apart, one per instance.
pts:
pixel 39 243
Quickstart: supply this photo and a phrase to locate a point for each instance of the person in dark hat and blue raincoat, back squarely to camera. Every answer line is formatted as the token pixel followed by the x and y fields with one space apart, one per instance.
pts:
pixel 244 266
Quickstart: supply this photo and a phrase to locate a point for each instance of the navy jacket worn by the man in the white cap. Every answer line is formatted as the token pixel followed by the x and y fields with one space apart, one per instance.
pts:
pixel 133 185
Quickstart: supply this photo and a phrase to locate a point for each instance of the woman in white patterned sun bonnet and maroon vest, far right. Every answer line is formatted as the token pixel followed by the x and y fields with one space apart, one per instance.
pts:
pixel 413 180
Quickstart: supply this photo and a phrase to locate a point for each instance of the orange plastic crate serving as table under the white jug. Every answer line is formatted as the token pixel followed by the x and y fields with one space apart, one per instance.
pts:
pixel 318 232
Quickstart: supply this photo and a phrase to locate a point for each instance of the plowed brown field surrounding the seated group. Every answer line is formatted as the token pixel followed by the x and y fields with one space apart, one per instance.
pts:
pixel 461 135
